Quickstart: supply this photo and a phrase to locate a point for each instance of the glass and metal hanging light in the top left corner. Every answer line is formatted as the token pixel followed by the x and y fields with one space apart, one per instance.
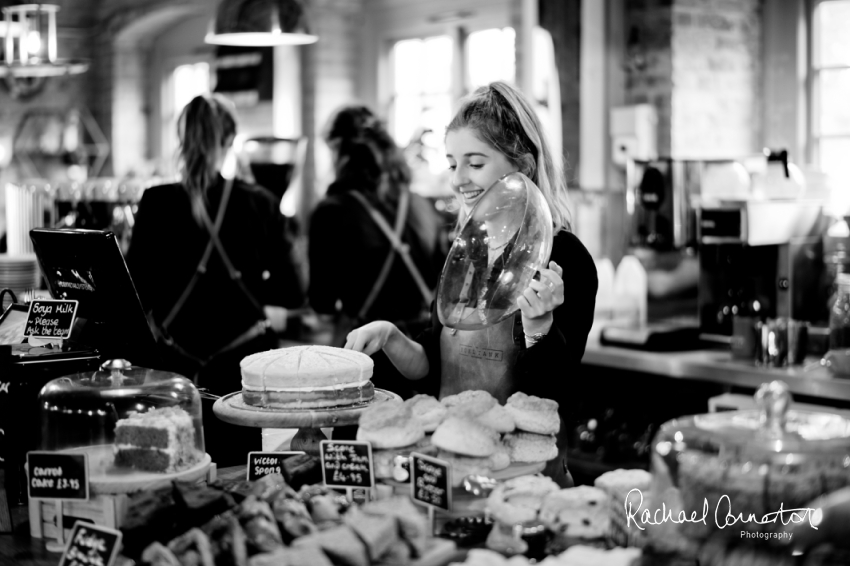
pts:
pixel 30 44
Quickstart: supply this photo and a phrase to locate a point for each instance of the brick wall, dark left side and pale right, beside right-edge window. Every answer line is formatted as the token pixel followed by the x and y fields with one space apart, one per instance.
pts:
pixel 699 63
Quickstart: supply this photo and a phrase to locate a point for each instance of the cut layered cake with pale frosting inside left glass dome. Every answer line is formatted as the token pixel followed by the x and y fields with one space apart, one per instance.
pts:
pixel 158 440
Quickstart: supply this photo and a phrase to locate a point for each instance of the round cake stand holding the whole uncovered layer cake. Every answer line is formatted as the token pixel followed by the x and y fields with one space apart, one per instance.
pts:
pixel 309 422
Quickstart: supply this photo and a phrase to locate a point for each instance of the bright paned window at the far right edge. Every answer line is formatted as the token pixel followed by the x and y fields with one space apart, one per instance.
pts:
pixel 831 88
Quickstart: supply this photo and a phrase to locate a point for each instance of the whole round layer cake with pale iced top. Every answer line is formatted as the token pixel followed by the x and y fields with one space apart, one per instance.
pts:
pixel 304 377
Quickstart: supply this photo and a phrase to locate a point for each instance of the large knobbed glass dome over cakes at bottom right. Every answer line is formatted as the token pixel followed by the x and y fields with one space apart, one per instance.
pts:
pixel 763 461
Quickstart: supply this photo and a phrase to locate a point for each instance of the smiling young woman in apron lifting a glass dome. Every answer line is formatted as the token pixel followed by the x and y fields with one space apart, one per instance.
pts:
pixel 495 132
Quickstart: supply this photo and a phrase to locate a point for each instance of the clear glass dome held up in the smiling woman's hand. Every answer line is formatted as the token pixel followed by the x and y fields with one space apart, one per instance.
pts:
pixel 512 220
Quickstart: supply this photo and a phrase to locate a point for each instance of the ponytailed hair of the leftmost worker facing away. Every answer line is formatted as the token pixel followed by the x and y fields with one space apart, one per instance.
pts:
pixel 205 126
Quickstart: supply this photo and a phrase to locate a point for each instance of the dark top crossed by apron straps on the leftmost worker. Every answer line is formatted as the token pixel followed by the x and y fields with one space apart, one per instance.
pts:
pixel 167 244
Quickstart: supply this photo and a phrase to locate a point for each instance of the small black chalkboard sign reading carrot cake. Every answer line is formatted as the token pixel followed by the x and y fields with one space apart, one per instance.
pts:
pixel 57 476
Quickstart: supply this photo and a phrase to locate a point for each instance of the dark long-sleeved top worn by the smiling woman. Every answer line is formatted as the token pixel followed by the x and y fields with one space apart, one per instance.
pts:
pixel 543 369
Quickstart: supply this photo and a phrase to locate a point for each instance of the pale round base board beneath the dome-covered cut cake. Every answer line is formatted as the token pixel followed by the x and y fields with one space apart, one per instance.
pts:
pixel 105 478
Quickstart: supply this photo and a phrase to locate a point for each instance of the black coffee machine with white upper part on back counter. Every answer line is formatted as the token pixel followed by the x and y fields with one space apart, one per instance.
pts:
pixel 762 252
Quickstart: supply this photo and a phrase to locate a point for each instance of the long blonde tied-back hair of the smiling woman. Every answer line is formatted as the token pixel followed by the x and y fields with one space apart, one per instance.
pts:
pixel 501 116
